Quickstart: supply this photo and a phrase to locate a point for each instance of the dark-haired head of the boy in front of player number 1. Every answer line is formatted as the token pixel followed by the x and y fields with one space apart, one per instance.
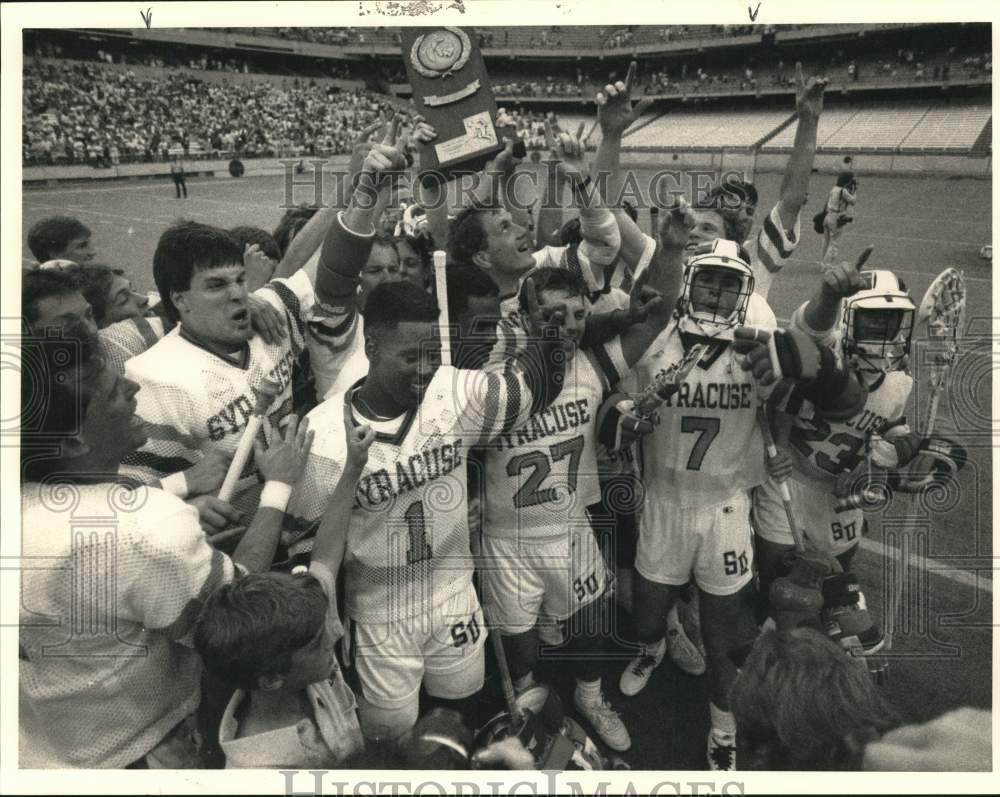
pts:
pixel 250 627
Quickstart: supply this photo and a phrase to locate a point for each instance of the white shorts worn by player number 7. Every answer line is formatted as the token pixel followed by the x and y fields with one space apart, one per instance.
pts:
pixel 713 543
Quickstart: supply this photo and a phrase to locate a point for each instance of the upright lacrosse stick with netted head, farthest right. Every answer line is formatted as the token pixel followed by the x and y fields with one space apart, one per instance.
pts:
pixel 943 310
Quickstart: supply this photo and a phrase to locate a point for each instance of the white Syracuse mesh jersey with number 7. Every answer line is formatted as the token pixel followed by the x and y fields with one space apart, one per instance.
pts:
pixel 707 445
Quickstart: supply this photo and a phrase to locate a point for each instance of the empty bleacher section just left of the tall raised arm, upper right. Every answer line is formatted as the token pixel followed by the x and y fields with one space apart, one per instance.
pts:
pixel 706 129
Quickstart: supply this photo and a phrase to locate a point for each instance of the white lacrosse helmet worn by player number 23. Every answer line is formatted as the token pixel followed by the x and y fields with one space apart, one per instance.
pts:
pixel 876 324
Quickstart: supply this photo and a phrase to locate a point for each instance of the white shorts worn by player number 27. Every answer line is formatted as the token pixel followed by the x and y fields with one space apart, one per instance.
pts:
pixel 525 581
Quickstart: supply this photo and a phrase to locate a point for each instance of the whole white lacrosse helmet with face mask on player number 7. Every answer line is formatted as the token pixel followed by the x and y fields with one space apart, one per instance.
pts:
pixel 716 291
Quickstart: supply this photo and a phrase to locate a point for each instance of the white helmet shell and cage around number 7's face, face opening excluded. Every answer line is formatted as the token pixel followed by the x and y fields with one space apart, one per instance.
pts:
pixel 726 256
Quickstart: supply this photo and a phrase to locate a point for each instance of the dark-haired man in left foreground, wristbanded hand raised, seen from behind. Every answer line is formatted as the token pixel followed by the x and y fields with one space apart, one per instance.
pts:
pixel 122 693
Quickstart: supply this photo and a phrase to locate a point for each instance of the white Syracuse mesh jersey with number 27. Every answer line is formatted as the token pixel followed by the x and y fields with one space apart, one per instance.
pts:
pixel 544 472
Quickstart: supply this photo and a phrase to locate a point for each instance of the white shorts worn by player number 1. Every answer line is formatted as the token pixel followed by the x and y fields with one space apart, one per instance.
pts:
pixel 443 651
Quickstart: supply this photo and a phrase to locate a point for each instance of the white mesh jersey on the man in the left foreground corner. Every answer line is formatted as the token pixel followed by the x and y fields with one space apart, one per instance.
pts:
pixel 103 677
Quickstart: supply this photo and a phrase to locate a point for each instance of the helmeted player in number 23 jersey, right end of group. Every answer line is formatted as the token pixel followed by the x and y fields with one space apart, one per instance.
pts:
pixel 866 317
